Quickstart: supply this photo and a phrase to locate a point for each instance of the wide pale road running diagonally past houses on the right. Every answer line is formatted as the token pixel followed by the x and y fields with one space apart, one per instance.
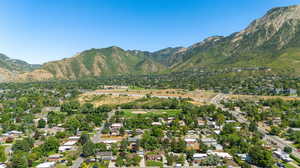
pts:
pixel 281 143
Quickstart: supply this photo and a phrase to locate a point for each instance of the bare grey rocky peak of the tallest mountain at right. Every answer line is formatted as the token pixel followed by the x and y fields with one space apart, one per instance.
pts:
pixel 282 22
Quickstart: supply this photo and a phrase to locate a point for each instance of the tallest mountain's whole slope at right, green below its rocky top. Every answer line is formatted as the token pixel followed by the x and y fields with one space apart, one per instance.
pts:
pixel 267 41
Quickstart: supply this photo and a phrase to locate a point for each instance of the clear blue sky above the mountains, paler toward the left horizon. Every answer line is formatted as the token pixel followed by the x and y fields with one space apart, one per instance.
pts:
pixel 38 31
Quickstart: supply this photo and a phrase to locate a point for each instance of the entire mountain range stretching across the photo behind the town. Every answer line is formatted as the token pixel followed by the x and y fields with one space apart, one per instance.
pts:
pixel 271 41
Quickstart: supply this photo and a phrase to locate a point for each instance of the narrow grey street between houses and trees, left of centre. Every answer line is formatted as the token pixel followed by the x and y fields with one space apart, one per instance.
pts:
pixel 96 139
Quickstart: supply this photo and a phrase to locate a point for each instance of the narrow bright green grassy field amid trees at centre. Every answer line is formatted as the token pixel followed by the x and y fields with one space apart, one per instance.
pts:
pixel 128 113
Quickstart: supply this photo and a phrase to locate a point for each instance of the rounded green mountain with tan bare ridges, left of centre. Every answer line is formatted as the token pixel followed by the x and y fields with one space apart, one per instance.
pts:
pixel 106 61
